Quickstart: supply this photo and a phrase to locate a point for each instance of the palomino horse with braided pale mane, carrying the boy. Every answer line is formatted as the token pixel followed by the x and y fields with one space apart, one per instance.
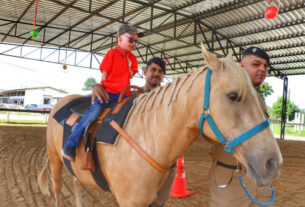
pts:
pixel 164 122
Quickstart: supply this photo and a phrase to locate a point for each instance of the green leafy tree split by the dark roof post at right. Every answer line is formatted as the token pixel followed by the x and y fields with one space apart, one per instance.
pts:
pixel 276 110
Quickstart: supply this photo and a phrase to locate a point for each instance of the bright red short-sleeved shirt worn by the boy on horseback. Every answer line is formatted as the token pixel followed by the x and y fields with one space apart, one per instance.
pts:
pixel 117 66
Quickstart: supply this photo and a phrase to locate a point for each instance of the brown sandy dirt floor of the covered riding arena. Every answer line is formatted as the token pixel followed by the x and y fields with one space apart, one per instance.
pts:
pixel 23 151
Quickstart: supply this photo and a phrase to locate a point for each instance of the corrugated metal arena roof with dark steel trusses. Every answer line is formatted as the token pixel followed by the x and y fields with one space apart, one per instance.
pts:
pixel 173 28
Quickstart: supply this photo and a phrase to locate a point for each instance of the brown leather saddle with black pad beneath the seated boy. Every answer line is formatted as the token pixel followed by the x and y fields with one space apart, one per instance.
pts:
pixel 98 130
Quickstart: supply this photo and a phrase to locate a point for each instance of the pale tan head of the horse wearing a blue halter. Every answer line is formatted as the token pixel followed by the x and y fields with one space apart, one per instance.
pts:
pixel 235 107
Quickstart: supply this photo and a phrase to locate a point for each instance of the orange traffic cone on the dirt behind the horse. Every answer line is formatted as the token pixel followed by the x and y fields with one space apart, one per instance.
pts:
pixel 179 188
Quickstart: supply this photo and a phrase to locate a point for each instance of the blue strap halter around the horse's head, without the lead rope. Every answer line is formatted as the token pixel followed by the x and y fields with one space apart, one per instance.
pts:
pixel 228 146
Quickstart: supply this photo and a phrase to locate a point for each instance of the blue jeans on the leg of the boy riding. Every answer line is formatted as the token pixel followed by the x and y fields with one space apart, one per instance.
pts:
pixel 93 112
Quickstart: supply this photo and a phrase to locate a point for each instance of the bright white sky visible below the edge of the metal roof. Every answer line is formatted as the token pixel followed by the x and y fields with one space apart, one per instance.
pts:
pixel 23 73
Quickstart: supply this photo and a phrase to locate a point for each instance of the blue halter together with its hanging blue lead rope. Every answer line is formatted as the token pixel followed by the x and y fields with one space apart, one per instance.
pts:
pixel 229 146
